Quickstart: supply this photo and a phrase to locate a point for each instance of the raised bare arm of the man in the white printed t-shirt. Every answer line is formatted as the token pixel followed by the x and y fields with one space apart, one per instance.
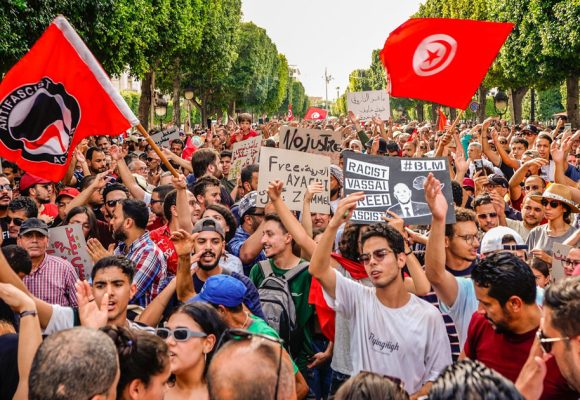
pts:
pixel 320 263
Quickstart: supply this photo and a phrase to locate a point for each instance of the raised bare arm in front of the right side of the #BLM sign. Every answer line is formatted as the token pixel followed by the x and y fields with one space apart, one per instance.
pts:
pixel 442 280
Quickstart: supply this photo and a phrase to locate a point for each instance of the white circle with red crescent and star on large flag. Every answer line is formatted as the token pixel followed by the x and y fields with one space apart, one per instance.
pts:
pixel 434 54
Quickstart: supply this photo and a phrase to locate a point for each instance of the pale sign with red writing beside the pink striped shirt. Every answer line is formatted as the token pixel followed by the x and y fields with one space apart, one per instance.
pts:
pixel 68 242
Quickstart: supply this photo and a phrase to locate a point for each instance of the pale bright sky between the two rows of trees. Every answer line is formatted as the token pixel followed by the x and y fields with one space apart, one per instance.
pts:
pixel 339 35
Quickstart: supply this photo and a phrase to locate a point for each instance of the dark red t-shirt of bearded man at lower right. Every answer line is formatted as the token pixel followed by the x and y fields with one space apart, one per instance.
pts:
pixel 507 353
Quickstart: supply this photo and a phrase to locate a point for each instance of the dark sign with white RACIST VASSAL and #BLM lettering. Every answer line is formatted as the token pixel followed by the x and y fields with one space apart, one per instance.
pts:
pixel 394 184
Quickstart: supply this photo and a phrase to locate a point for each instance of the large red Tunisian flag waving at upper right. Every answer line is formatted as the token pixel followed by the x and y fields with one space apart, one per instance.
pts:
pixel 441 60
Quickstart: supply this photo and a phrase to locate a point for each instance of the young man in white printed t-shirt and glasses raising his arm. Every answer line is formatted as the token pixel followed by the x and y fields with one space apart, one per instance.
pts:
pixel 393 332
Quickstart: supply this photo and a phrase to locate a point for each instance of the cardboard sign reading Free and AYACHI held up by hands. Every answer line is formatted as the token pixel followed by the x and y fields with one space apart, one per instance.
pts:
pixel 297 170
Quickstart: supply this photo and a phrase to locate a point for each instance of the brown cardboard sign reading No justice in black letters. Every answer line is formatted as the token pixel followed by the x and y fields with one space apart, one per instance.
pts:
pixel 316 141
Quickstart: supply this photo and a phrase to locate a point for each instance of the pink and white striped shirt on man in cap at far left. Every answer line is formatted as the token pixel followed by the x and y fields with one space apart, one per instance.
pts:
pixel 53 281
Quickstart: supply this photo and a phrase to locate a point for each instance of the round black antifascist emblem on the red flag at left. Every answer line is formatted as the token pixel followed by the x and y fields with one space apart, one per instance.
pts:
pixel 39 119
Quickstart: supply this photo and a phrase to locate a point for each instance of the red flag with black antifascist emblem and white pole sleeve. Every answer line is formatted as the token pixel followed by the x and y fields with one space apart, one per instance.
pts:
pixel 55 96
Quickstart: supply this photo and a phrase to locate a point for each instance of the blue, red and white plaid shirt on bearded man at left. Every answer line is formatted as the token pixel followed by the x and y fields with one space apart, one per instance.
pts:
pixel 150 267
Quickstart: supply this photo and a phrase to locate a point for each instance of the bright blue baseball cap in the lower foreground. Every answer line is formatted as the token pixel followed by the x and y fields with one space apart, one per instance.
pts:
pixel 223 290
